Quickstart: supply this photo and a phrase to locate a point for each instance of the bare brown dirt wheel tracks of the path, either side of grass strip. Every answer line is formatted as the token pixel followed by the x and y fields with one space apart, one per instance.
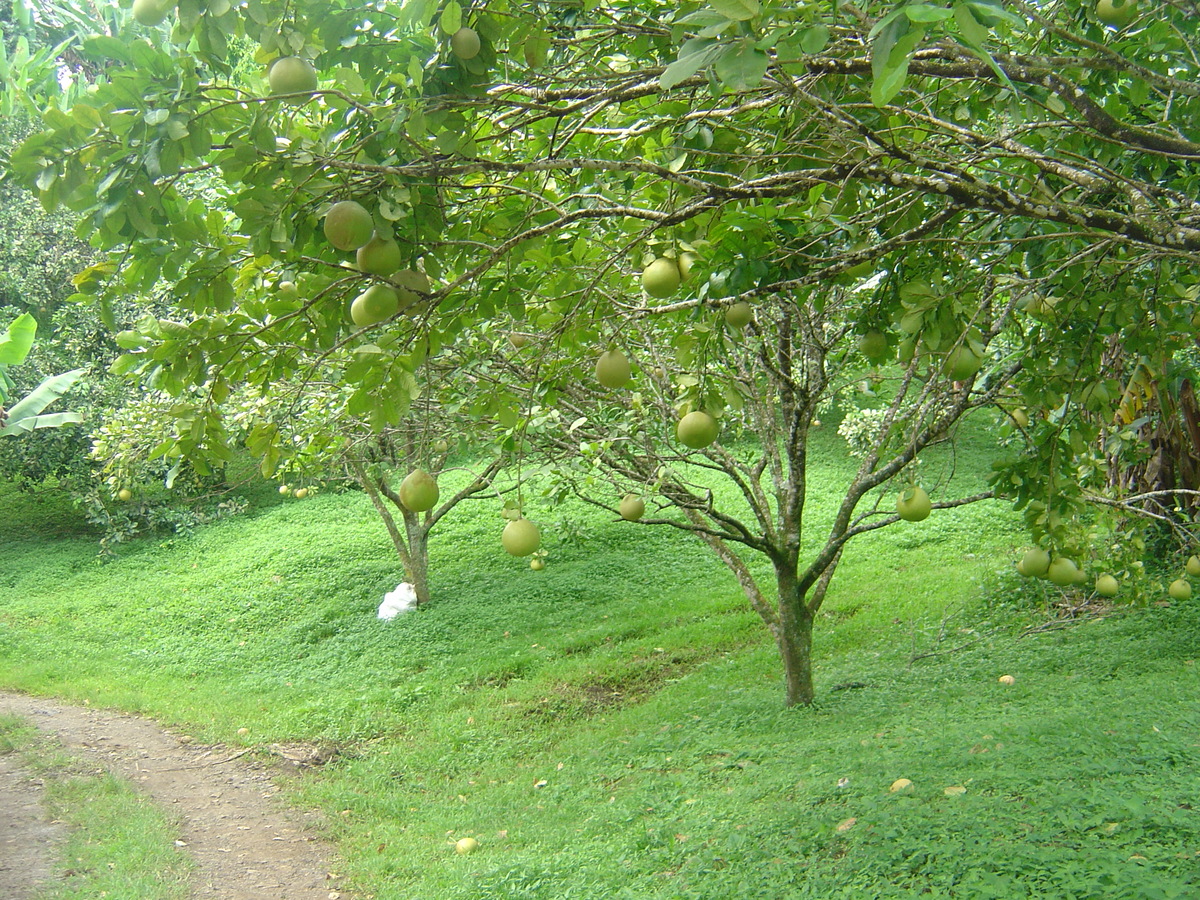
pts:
pixel 245 844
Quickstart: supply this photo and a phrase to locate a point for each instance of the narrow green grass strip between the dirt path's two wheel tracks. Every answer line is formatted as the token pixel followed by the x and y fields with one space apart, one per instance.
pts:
pixel 119 844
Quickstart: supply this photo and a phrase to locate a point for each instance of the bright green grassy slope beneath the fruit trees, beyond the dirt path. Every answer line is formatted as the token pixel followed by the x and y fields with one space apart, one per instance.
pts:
pixel 613 727
